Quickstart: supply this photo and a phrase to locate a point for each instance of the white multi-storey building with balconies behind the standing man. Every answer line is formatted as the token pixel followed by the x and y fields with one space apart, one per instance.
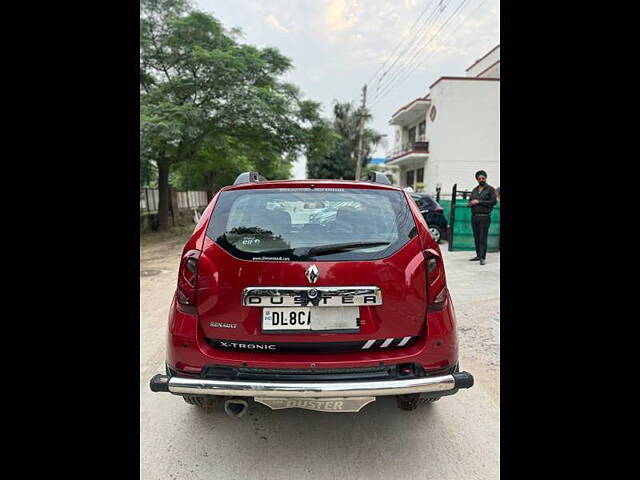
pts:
pixel 444 137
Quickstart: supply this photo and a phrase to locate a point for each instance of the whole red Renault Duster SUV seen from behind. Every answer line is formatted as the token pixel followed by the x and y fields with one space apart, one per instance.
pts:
pixel 316 294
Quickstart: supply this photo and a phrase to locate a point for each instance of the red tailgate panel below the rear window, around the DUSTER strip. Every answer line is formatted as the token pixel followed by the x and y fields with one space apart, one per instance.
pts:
pixel 401 277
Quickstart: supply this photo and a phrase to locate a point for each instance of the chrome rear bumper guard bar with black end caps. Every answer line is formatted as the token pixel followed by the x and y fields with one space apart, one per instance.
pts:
pixel 441 384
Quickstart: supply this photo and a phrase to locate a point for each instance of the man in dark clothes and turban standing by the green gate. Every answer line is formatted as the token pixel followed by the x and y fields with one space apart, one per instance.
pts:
pixel 481 201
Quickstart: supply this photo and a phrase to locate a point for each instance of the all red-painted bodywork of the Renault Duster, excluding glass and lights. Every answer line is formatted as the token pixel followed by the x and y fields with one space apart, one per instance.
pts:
pixel 403 313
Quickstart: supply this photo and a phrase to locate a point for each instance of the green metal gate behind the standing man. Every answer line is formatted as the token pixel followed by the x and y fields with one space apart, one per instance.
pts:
pixel 460 230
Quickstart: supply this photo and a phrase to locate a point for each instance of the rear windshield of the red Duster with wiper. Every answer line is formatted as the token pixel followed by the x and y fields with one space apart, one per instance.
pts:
pixel 289 224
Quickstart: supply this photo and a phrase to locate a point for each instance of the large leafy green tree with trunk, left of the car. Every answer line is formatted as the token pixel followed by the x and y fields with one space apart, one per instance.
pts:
pixel 210 105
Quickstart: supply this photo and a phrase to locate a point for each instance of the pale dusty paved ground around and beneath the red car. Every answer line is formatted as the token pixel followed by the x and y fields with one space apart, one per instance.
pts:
pixel 458 437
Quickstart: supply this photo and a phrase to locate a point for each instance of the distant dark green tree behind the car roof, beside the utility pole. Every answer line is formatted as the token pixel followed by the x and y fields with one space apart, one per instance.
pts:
pixel 340 160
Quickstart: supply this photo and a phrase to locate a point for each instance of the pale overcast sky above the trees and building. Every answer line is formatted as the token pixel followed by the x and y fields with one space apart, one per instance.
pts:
pixel 336 46
